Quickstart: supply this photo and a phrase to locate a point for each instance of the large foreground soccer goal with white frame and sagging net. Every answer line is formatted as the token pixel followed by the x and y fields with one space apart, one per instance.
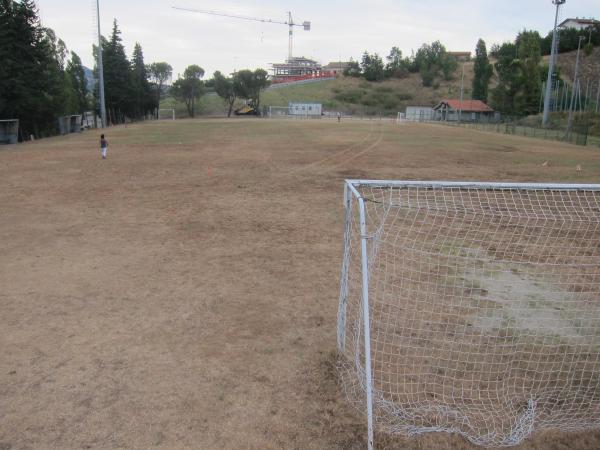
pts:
pixel 471 308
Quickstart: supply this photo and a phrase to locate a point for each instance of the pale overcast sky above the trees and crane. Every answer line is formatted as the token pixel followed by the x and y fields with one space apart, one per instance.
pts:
pixel 340 28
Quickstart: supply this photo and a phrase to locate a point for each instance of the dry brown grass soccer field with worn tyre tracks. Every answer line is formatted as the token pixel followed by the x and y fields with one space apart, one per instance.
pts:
pixel 183 293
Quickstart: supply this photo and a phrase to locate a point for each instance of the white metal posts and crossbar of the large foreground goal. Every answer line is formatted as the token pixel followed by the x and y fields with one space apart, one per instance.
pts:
pixel 352 193
